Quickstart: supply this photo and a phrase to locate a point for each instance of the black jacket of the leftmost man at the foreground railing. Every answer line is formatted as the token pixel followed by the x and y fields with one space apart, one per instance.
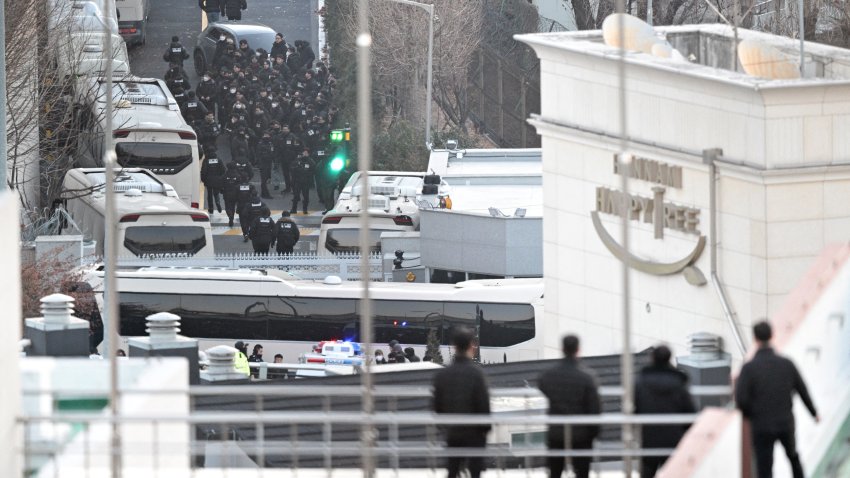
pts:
pixel 462 388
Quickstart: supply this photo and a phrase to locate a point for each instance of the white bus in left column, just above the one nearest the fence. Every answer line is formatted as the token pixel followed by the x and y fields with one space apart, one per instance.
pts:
pixel 148 130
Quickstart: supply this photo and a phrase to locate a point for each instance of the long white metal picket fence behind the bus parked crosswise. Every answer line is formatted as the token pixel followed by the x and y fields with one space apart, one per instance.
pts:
pixel 302 265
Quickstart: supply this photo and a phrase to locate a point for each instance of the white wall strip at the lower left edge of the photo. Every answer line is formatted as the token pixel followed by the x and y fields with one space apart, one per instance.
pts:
pixel 10 334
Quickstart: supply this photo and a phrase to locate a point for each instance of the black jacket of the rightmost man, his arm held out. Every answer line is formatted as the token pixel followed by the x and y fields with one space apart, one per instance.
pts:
pixel 765 389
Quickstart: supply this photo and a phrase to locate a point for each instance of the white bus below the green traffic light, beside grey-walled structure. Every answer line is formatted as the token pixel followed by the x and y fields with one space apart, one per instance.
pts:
pixel 394 201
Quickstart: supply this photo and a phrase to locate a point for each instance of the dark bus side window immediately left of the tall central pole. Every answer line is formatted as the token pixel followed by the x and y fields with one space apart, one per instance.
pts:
pixel 312 320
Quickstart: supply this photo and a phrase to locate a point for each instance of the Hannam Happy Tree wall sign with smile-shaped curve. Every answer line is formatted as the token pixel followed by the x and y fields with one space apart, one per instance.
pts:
pixel 651 210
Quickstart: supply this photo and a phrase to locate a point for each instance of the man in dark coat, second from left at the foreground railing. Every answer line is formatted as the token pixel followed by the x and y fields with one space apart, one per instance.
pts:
pixel 571 390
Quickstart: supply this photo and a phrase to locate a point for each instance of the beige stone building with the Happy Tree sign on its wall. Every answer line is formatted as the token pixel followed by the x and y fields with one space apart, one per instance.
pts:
pixel 783 182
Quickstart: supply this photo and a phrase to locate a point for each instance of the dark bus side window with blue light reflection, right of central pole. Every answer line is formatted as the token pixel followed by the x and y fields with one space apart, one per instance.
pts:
pixel 405 321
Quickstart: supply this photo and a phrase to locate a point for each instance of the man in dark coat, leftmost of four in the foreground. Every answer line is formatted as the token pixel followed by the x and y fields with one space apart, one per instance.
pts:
pixel 462 388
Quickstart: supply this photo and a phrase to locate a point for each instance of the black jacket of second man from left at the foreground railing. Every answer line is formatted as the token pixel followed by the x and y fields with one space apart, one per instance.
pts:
pixel 571 390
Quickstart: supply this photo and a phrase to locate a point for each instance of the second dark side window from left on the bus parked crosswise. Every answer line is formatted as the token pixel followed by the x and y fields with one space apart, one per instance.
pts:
pixel 224 317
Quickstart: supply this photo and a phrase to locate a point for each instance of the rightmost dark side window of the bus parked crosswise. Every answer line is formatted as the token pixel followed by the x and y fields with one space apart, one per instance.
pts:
pixel 499 325
